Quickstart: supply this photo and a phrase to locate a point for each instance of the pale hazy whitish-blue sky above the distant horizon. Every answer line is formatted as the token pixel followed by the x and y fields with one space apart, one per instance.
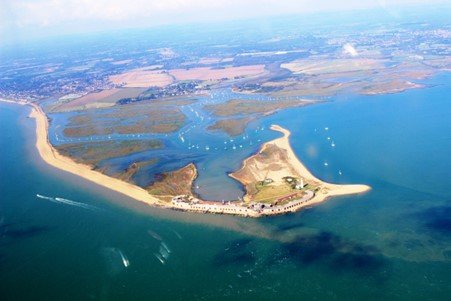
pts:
pixel 27 19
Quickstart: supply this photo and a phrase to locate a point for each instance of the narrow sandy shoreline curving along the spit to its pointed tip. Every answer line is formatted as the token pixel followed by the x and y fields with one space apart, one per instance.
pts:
pixel 52 157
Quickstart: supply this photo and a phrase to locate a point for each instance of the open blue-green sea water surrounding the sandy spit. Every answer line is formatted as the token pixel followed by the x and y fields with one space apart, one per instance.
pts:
pixel 393 243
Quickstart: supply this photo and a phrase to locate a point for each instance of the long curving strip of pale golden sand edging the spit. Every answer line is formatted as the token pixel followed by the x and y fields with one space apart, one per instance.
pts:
pixel 52 157
